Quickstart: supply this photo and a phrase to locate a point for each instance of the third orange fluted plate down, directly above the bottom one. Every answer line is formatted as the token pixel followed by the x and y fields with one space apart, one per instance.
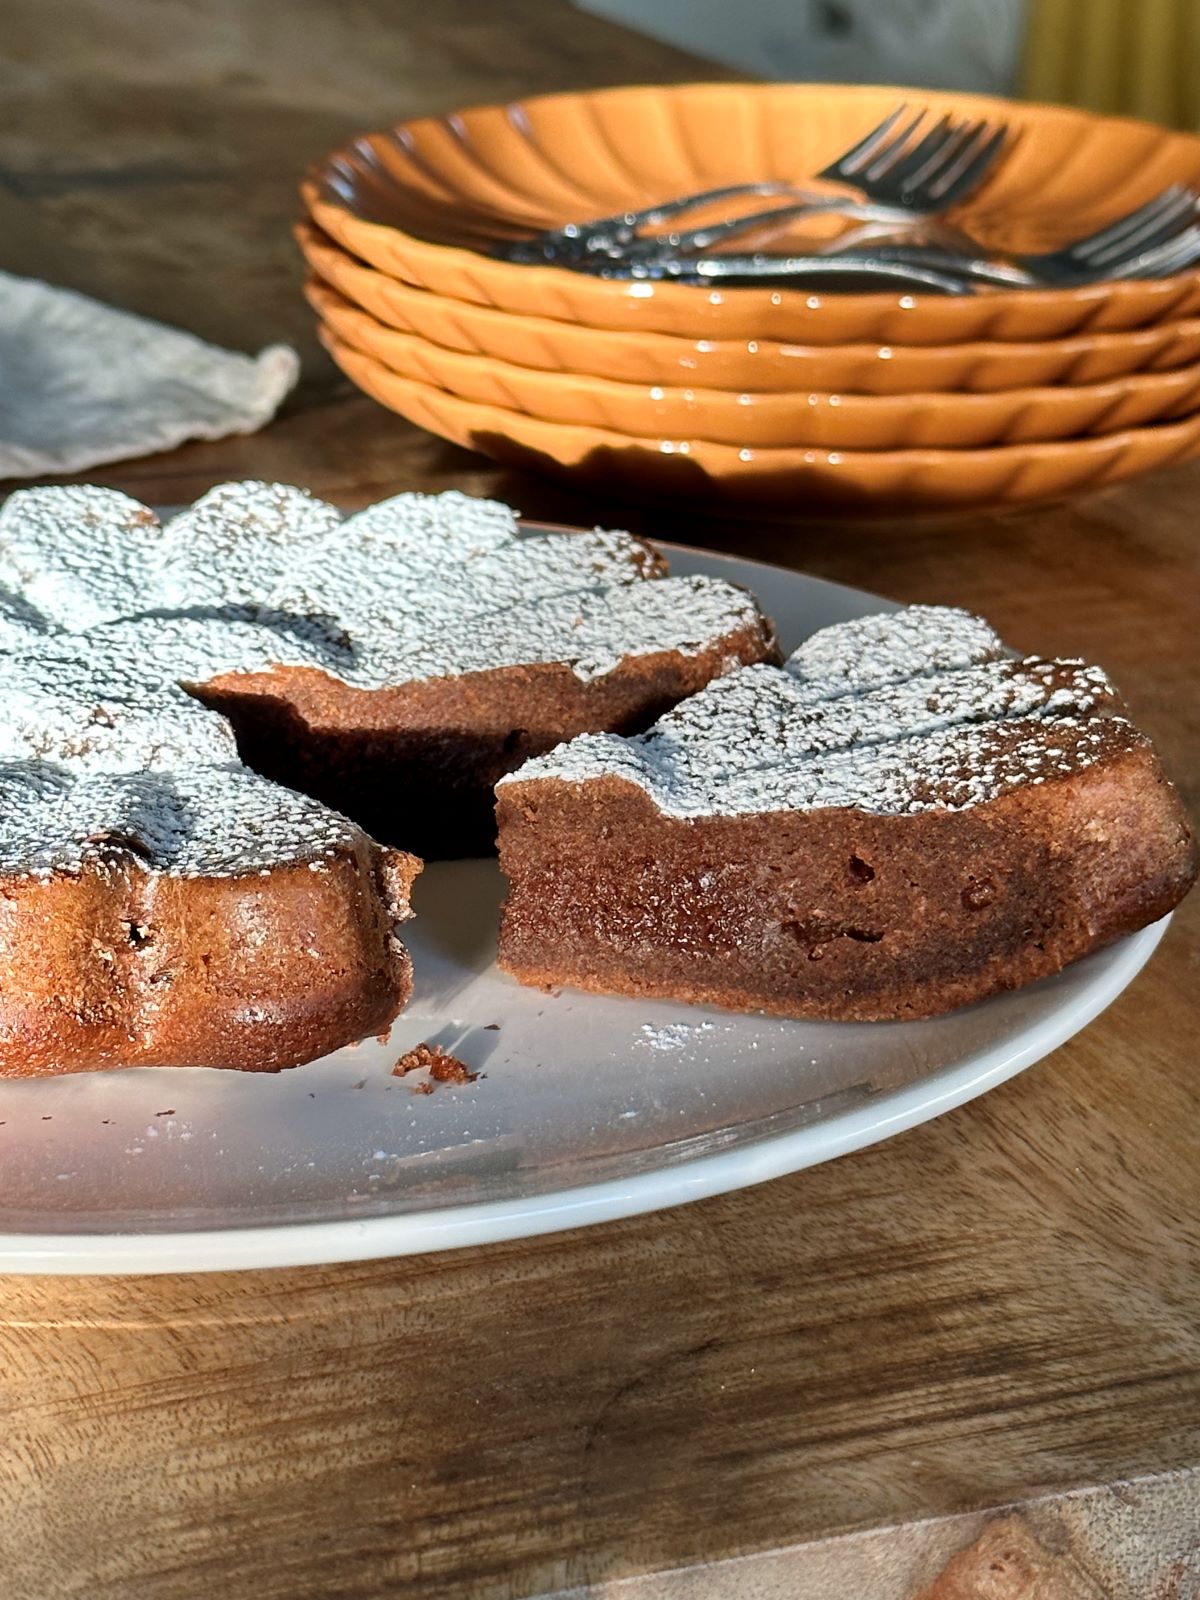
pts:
pixel 822 420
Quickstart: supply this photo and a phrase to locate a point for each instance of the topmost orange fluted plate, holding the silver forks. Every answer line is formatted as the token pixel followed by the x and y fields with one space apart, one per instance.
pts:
pixel 425 201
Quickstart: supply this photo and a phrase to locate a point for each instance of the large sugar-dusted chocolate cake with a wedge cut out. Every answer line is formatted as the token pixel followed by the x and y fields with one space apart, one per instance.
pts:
pixel 166 905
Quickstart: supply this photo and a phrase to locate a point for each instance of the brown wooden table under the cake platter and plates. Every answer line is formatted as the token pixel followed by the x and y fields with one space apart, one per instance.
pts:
pixel 999 1310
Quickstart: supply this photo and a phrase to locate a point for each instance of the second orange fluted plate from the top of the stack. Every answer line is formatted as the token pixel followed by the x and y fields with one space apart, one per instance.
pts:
pixel 753 366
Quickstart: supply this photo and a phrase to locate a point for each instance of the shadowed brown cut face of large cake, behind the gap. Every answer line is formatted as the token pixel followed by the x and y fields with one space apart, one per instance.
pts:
pixel 417 766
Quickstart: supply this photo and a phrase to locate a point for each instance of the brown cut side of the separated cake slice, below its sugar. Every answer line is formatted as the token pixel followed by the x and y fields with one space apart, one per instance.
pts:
pixel 838 914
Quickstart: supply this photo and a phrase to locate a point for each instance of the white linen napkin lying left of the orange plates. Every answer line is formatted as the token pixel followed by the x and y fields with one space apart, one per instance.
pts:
pixel 84 383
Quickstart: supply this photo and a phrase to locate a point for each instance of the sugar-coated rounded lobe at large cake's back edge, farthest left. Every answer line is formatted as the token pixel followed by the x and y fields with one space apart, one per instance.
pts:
pixel 79 556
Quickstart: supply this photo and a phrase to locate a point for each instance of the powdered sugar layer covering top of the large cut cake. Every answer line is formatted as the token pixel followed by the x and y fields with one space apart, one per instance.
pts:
pixel 105 614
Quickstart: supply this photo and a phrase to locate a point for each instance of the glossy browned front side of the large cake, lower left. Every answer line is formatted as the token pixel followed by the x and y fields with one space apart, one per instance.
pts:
pixel 126 967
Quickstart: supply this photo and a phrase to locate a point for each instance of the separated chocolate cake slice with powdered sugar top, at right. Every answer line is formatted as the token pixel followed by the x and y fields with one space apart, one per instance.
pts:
pixel 900 822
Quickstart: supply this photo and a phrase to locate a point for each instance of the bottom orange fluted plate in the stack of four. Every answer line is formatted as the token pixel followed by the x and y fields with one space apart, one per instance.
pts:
pixel 858 481
